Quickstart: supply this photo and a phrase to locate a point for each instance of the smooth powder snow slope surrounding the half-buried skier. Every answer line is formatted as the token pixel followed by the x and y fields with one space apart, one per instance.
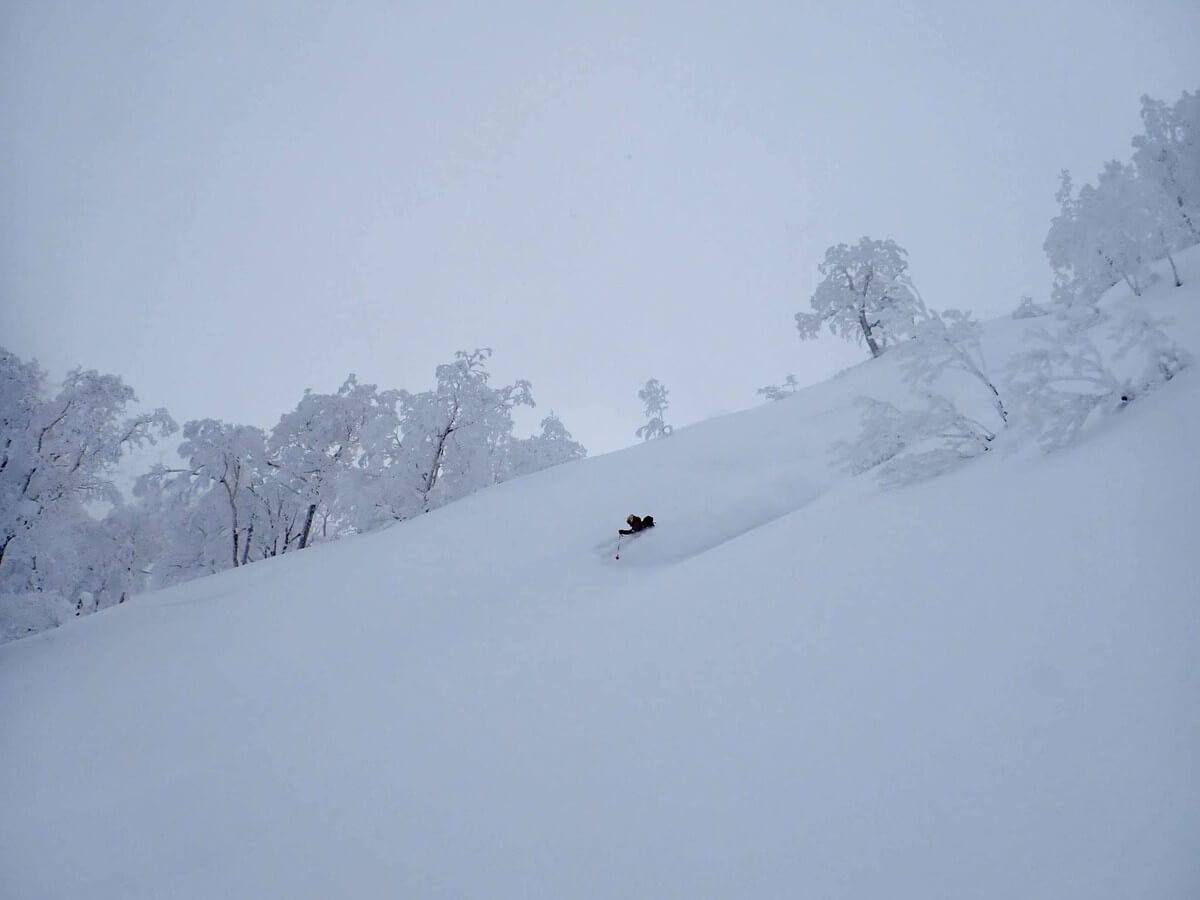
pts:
pixel 986 686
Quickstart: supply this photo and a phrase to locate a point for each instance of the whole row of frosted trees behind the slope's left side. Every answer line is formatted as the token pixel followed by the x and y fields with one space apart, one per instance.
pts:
pixel 338 464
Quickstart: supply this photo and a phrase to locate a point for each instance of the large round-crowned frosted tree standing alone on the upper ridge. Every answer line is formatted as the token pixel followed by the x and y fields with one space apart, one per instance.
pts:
pixel 866 295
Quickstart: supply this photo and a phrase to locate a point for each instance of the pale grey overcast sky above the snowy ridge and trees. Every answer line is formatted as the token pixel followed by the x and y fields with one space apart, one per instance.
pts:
pixel 227 203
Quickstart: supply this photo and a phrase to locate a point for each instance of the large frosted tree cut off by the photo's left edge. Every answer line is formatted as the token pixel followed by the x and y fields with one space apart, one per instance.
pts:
pixel 58 455
